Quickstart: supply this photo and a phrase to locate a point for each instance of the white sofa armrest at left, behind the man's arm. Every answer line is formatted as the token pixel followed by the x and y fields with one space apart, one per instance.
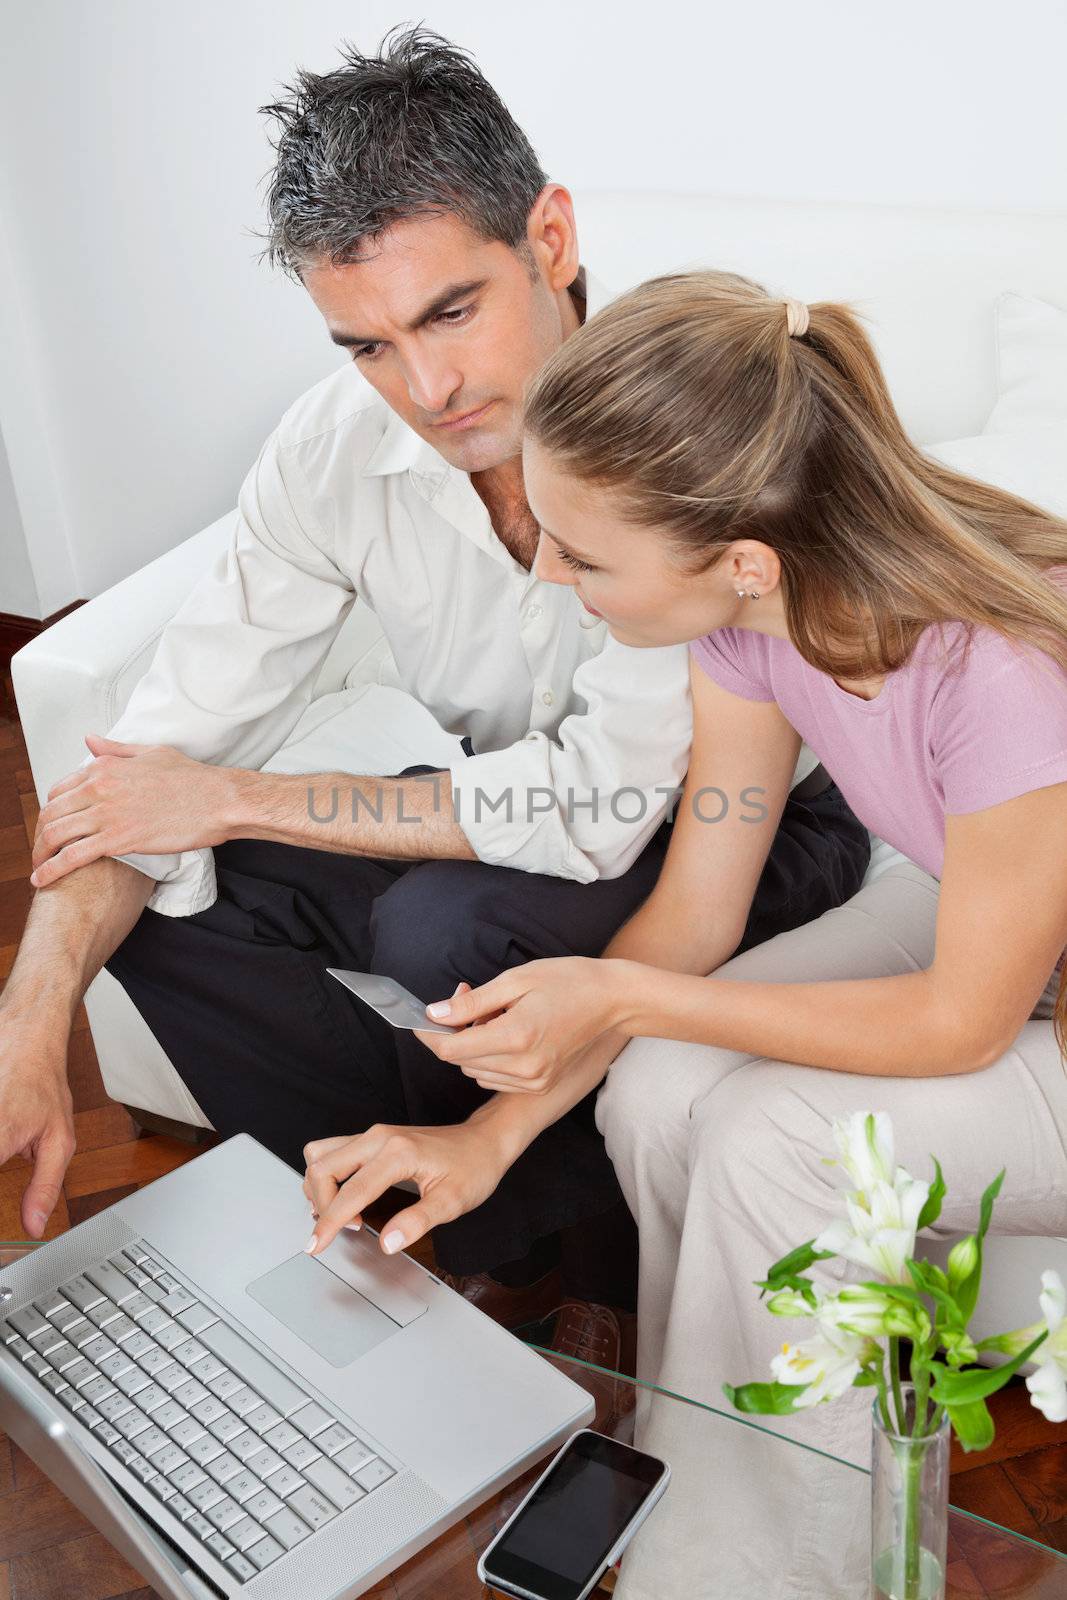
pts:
pixel 78 676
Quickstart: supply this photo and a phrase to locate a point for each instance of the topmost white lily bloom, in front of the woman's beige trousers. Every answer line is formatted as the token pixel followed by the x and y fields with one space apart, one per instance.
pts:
pixel 884 1209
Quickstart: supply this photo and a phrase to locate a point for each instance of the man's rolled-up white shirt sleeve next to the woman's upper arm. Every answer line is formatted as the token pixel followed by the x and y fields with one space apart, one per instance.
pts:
pixel 585 804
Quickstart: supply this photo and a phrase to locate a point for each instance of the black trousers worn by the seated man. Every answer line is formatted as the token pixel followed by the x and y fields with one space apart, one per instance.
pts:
pixel 271 1046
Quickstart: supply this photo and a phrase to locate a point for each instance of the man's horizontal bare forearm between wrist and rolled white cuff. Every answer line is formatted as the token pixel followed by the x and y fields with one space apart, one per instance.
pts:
pixel 402 818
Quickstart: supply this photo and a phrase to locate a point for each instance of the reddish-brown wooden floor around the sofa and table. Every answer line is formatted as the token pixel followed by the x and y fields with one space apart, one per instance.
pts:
pixel 50 1553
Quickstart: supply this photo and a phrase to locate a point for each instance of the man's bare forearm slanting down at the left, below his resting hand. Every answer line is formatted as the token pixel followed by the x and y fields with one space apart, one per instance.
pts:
pixel 71 930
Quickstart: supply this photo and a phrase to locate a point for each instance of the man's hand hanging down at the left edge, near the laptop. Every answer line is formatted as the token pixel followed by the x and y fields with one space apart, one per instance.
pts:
pixel 36 1114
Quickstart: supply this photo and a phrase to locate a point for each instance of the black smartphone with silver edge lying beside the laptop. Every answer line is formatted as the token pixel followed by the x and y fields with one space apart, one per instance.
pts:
pixel 577 1521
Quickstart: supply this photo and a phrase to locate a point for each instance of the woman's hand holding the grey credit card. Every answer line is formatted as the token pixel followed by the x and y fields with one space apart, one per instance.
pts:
pixel 532 1023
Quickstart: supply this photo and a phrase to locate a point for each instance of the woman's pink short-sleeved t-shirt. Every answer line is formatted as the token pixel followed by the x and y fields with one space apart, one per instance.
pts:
pixel 941 738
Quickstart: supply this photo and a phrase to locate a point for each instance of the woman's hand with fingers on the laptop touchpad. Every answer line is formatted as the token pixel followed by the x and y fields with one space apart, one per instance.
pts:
pixel 455 1167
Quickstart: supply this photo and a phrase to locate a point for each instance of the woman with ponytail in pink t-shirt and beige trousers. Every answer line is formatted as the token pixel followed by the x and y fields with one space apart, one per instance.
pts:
pixel 713 465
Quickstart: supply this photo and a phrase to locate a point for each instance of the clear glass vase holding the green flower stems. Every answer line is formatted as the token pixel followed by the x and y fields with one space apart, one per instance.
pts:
pixel 909 1506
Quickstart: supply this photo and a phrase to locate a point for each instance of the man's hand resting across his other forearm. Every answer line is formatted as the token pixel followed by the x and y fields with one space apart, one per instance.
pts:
pixel 134 799
